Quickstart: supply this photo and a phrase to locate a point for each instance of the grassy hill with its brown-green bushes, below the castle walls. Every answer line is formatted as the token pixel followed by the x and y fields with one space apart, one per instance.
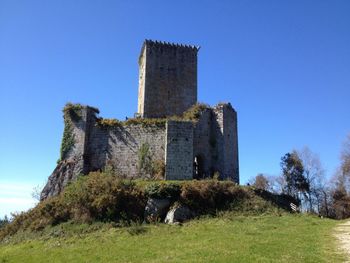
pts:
pixel 97 219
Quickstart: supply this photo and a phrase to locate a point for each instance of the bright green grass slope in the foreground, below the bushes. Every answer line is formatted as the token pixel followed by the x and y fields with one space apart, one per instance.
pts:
pixel 227 238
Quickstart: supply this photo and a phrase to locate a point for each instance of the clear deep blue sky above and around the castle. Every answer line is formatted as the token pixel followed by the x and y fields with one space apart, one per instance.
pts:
pixel 283 65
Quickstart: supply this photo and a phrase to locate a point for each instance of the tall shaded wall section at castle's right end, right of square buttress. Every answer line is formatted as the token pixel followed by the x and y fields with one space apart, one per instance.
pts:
pixel 216 143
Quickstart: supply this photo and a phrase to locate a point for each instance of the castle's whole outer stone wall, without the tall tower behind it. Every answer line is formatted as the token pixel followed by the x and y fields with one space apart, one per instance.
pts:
pixel 211 140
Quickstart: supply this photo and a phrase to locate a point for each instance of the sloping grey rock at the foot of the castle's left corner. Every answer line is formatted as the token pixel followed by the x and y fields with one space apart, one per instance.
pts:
pixel 65 172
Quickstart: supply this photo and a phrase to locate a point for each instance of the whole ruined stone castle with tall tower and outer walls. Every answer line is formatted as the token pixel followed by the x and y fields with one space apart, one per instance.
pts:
pixel 171 137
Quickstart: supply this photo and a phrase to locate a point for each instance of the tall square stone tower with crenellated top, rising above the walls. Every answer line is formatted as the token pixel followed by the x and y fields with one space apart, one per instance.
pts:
pixel 167 79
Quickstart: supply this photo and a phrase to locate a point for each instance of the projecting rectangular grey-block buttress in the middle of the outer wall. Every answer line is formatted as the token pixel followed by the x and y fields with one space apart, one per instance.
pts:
pixel 179 150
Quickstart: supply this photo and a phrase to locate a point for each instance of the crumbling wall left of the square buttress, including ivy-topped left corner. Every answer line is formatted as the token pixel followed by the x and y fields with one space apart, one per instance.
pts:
pixel 95 147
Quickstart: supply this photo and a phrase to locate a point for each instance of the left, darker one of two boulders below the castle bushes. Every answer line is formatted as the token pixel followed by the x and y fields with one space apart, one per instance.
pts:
pixel 156 209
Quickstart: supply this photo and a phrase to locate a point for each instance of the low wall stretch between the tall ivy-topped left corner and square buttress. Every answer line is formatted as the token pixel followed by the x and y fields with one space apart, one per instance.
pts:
pixel 120 146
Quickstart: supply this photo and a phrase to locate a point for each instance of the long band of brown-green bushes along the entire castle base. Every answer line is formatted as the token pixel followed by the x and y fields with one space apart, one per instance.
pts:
pixel 105 197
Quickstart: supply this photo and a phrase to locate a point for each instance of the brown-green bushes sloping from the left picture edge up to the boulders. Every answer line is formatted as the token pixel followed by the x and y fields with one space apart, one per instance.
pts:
pixel 96 197
